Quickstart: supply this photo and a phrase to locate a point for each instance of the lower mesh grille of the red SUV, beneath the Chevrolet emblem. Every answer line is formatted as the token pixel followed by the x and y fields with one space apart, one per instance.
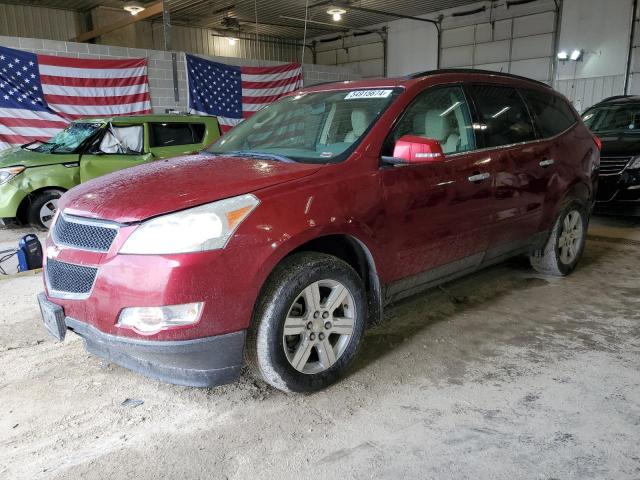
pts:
pixel 69 280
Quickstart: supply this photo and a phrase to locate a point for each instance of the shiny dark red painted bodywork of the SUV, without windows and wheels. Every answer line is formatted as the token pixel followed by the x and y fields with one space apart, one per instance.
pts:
pixel 410 218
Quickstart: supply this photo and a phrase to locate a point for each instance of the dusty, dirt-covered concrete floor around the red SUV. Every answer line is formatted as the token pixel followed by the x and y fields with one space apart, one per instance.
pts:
pixel 505 374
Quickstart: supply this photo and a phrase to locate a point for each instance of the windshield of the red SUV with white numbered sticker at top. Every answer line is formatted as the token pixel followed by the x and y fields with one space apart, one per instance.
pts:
pixel 320 127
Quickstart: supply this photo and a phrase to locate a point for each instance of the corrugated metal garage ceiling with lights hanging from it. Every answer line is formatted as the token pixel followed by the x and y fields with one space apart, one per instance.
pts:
pixel 270 13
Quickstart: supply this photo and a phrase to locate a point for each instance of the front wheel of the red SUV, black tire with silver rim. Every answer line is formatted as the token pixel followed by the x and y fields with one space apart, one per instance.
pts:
pixel 308 324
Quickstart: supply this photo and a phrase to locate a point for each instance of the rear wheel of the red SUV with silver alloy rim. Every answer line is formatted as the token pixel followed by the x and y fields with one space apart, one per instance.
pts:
pixel 565 245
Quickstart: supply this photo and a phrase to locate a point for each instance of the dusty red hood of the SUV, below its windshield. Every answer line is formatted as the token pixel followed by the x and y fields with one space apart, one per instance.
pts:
pixel 165 186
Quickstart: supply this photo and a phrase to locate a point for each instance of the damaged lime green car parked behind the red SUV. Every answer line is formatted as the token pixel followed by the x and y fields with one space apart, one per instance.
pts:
pixel 35 175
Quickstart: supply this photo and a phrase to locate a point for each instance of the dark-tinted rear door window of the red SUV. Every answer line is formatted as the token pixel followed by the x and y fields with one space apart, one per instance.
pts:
pixel 504 117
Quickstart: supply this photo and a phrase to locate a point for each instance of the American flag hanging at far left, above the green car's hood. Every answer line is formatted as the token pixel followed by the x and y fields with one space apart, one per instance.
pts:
pixel 41 94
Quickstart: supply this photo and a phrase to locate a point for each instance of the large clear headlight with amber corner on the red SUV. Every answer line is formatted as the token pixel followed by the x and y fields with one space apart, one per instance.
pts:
pixel 207 227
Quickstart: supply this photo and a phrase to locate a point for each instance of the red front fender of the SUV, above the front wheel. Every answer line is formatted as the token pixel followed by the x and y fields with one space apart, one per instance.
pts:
pixel 304 213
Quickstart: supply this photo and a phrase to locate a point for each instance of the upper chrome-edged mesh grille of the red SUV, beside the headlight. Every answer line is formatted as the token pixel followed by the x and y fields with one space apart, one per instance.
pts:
pixel 84 233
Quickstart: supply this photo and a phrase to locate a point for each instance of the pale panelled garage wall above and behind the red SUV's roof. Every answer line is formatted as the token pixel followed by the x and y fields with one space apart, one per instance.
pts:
pixel 518 40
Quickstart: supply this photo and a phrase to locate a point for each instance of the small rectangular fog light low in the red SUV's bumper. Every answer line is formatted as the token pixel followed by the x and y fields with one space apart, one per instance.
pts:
pixel 150 320
